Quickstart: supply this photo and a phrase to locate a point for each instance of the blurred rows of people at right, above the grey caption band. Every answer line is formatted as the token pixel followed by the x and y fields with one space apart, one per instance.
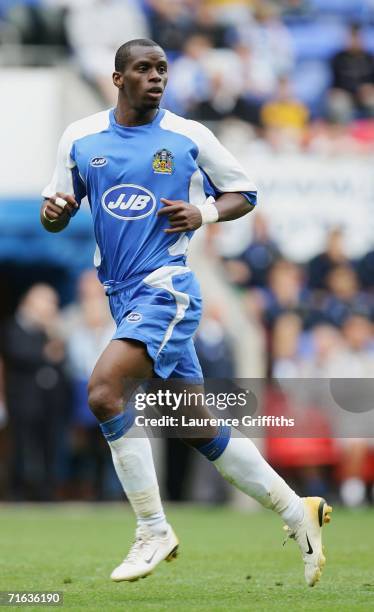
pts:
pixel 317 317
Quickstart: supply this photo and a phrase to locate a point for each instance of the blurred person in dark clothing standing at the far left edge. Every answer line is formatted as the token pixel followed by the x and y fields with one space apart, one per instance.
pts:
pixel 36 394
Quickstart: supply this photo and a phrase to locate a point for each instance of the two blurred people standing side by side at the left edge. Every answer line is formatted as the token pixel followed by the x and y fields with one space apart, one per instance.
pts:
pixel 47 356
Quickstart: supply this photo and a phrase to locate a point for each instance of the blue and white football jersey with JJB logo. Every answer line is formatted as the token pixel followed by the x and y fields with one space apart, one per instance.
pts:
pixel 125 171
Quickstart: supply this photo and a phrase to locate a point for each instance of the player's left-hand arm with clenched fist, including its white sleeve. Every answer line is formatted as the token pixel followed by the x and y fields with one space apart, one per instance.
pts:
pixel 62 196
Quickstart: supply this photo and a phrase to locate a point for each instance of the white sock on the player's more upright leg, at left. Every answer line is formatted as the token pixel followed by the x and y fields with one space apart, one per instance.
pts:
pixel 133 462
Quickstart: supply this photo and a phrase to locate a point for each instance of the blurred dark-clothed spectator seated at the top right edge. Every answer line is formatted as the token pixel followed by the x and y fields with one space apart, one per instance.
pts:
pixel 352 91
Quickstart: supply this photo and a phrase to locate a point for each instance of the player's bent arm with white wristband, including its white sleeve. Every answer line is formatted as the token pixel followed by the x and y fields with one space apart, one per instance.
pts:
pixel 235 194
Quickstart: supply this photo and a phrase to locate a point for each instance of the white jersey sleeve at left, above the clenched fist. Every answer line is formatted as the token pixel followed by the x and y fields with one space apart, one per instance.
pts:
pixel 62 179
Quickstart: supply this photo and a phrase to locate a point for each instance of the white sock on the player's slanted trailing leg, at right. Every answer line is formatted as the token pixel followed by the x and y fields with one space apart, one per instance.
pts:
pixel 242 464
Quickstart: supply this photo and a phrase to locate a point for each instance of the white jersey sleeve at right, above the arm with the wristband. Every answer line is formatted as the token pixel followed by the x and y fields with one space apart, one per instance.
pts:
pixel 221 167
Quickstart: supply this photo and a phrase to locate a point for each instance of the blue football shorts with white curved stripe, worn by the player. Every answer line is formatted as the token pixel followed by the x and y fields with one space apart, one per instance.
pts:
pixel 162 310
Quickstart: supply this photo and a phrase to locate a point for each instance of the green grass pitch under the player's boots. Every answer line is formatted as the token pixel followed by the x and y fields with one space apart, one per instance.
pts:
pixel 228 560
